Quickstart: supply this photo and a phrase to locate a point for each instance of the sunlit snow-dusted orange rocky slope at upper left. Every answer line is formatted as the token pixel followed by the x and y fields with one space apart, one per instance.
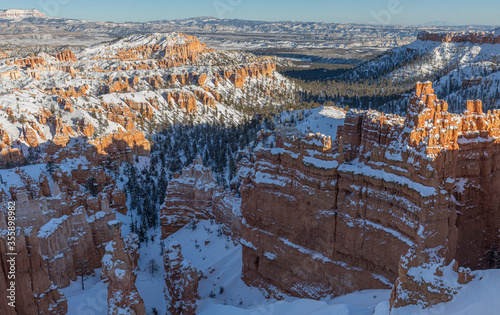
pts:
pixel 109 95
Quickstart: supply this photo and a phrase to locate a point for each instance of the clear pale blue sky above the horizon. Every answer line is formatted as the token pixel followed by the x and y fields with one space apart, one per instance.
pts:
pixel 343 11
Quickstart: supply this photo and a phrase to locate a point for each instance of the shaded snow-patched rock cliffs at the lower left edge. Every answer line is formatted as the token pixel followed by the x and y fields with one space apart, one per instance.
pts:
pixel 59 226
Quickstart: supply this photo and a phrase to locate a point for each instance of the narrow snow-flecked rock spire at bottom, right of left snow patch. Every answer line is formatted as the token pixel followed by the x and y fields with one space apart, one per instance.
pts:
pixel 117 269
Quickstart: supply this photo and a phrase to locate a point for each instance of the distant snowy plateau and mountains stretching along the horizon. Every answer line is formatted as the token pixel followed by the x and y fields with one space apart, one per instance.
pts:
pixel 313 41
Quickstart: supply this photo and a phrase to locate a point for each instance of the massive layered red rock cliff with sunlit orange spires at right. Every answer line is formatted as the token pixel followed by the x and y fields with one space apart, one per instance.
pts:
pixel 324 217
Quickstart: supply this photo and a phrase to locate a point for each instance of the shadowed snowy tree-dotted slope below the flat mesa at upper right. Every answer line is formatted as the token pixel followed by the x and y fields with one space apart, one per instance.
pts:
pixel 462 66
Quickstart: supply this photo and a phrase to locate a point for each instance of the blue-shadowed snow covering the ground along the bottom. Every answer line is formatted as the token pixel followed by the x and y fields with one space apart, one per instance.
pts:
pixel 220 261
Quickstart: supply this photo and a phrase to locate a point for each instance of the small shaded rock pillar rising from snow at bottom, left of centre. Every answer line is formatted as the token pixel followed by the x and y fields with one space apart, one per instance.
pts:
pixel 181 280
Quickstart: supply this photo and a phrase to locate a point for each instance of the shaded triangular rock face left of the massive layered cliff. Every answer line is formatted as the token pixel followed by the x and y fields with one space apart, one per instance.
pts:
pixel 195 195
